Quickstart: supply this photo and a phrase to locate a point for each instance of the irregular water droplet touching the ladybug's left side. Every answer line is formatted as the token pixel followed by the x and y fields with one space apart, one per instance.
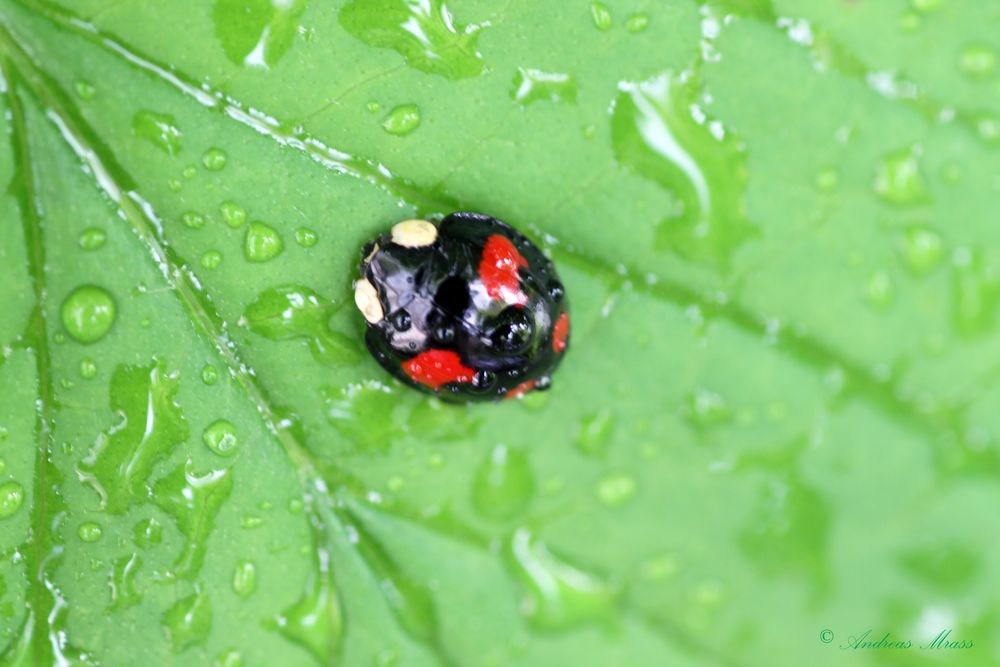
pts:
pixel 297 312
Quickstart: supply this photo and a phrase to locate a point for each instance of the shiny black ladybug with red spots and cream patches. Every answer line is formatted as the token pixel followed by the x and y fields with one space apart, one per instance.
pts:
pixel 468 309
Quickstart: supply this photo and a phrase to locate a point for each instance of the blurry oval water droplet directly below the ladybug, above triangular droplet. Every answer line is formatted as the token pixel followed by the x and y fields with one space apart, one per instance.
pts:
pixel 504 483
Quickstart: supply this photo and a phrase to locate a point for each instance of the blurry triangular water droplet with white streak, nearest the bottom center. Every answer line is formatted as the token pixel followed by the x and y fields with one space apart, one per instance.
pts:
pixel 560 595
